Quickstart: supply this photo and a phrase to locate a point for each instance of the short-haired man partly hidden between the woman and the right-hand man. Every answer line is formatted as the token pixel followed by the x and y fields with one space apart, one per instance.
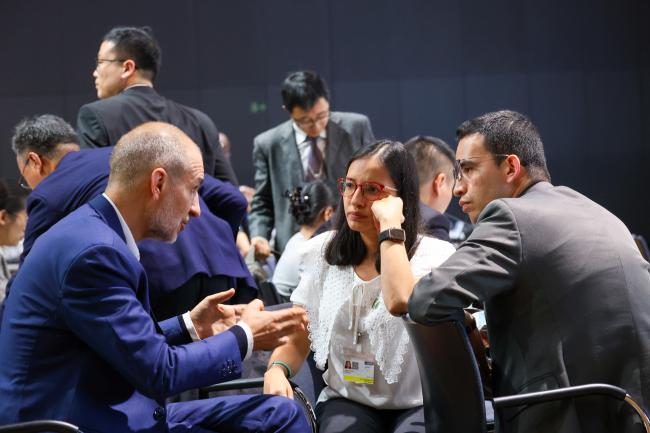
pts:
pixel 434 160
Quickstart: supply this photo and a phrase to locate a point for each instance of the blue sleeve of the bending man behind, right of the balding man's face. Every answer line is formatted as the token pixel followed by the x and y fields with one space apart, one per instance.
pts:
pixel 224 200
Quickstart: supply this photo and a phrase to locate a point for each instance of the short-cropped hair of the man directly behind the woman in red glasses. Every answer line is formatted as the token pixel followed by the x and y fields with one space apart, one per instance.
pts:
pixel 432 156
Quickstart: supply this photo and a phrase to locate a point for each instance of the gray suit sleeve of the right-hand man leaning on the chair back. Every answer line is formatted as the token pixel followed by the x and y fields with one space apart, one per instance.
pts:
pixel 484 266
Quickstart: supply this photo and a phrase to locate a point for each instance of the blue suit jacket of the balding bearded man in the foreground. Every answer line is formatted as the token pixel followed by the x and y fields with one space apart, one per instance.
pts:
pixel 78 342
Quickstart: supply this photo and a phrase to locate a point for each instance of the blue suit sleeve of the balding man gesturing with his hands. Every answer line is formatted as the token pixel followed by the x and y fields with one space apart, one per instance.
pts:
pixel 99 304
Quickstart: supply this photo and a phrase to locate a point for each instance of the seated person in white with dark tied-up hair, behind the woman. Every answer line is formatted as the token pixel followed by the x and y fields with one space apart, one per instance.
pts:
pixel 311 206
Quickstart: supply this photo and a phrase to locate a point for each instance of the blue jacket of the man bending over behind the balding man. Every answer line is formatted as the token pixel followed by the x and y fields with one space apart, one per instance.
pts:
pixel 206 245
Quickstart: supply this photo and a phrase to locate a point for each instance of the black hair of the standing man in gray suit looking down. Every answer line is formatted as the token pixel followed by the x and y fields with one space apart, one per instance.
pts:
pixel 303 89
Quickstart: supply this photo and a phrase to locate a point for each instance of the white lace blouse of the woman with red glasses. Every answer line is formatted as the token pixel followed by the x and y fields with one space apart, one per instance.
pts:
pixel 339 303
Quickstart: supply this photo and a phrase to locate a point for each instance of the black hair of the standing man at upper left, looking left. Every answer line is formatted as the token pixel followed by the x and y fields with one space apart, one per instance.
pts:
pixel 139 45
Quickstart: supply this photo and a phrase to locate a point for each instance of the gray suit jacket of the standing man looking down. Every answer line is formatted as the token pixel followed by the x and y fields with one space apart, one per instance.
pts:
pixel 278 168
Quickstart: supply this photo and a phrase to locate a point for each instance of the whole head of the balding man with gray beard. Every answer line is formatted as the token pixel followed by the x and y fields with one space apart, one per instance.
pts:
pixel 156 172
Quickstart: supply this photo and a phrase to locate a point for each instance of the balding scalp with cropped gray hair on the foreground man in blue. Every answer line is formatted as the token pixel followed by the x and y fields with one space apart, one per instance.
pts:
pixel 149 146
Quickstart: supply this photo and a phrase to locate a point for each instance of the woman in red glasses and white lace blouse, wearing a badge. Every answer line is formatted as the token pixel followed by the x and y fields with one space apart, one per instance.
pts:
pixel 371 373
